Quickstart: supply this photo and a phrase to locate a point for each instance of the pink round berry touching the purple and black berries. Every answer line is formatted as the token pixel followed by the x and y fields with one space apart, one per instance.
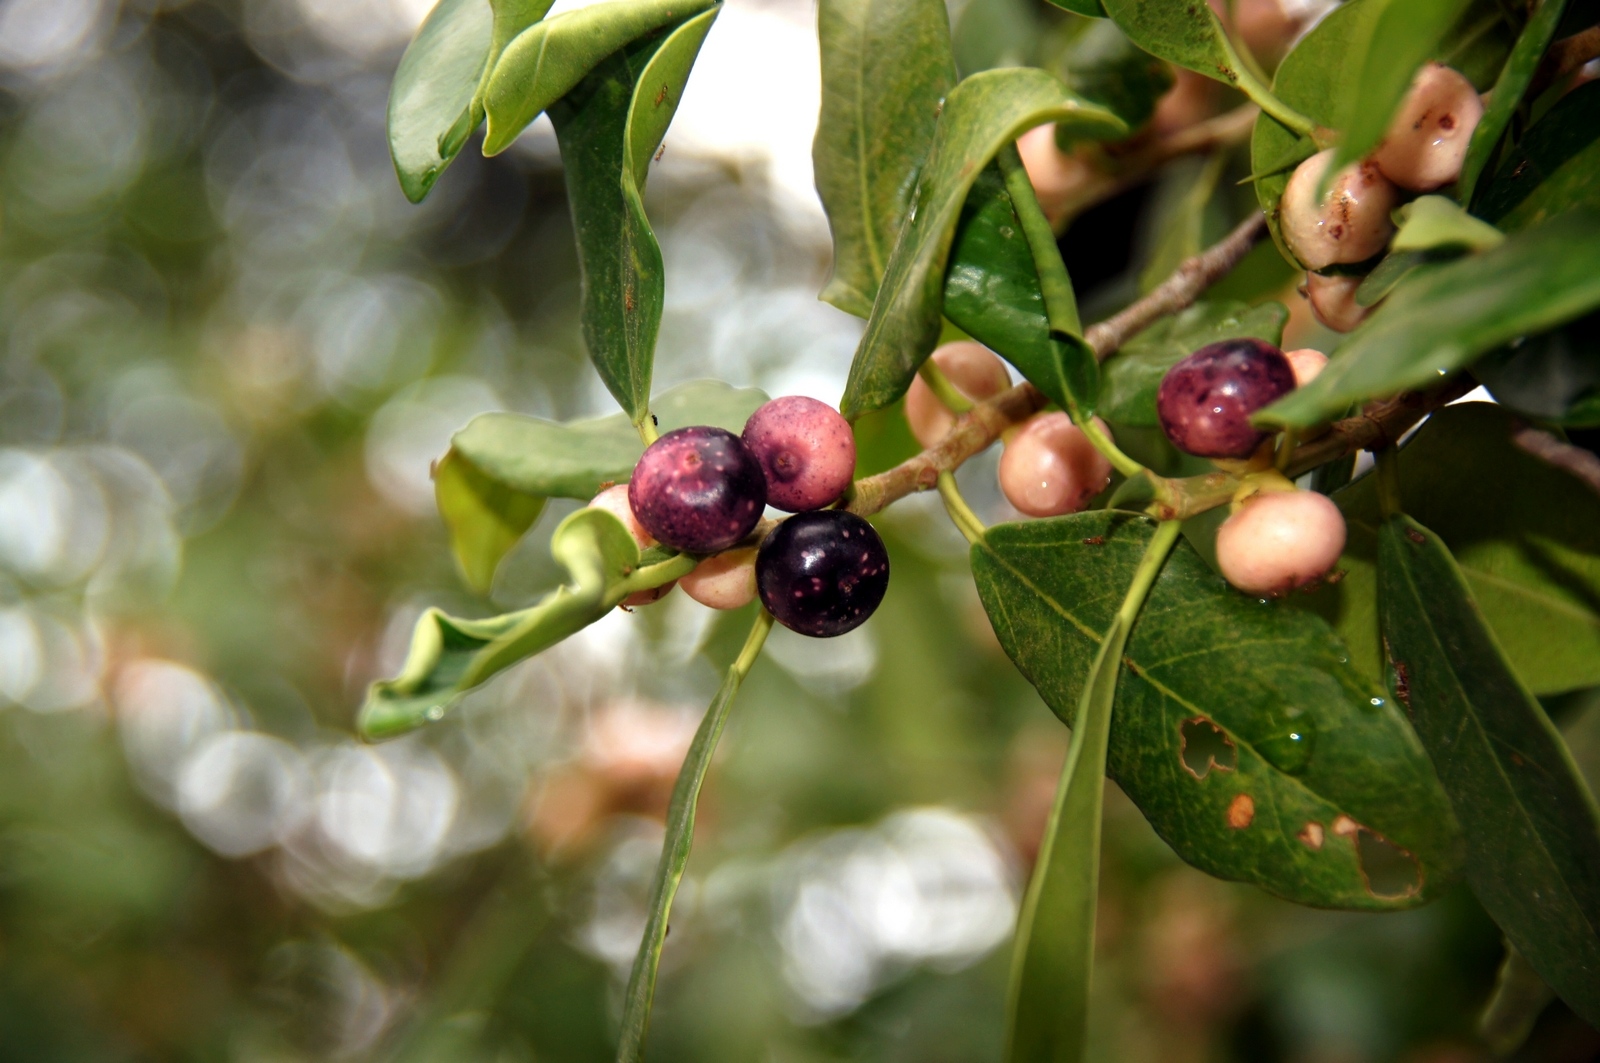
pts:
pixel 807 452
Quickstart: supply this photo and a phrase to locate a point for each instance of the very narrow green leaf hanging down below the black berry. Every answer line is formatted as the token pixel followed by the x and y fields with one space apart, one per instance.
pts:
pixel 676 846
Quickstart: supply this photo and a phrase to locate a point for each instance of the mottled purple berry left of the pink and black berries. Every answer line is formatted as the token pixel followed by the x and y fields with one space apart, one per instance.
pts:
pixel 698 491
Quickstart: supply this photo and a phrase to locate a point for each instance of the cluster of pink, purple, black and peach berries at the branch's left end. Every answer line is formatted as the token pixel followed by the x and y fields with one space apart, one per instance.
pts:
pixel 702 491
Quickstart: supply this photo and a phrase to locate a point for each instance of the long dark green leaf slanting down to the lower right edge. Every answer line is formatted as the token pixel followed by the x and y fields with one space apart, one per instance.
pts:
pixel 1532 827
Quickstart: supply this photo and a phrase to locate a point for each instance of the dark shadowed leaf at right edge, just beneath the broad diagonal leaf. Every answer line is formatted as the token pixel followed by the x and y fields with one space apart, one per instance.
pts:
pixel 1554 377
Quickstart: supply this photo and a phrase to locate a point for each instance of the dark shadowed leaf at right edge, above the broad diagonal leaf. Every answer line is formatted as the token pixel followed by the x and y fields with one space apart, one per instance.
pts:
pixel 1553 170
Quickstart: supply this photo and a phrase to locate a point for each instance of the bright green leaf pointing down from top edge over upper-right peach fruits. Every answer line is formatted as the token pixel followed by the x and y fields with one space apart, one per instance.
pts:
pixel 1401 38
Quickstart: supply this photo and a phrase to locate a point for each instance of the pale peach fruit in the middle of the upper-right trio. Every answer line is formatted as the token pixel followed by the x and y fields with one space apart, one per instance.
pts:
pixel 1350 225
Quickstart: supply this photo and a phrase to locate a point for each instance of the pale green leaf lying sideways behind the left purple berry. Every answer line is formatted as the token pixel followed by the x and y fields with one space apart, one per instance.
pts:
pixel 575 460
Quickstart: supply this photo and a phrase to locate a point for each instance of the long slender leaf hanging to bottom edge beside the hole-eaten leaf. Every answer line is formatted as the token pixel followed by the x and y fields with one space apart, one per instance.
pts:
pixel 1055 947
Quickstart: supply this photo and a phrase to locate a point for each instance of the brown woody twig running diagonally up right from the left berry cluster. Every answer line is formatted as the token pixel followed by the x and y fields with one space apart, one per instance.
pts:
pixel 982 427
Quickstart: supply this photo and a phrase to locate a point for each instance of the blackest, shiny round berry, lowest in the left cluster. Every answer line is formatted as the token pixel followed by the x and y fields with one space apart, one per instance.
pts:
pixel 823 574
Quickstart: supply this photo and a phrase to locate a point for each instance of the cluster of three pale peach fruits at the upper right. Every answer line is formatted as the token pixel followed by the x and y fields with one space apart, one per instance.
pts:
pixel 1340 236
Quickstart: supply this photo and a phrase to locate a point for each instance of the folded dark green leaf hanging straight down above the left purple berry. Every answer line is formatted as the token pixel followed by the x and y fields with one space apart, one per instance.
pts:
pixel 609 129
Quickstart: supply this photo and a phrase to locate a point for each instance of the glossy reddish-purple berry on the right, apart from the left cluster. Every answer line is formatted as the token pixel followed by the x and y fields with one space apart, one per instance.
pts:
pixel 1207 399
